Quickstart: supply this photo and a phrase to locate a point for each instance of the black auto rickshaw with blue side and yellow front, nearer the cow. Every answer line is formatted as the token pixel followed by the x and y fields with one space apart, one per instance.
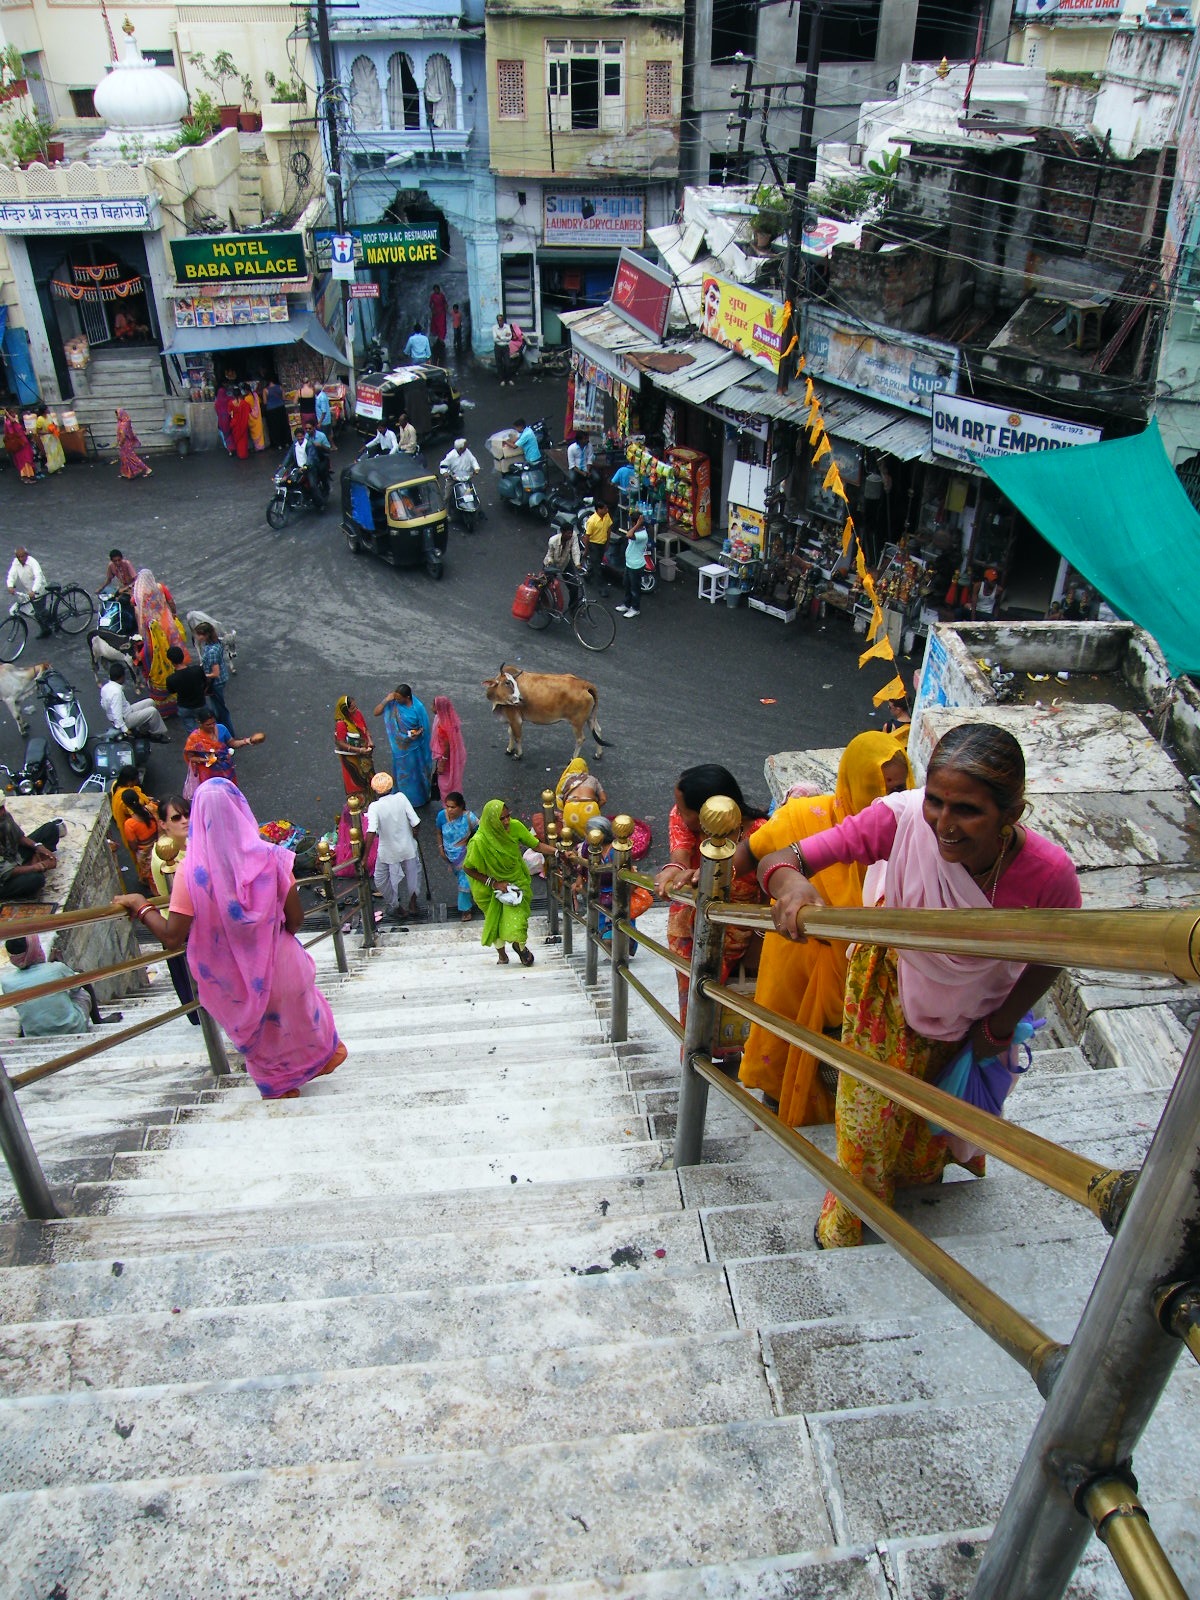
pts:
pixel 393 508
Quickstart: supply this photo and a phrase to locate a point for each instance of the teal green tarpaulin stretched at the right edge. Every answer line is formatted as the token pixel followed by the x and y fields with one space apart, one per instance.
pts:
pixel 1121 518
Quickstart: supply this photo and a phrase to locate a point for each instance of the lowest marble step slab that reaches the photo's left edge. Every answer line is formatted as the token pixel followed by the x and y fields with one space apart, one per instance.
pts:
pixel 530 1514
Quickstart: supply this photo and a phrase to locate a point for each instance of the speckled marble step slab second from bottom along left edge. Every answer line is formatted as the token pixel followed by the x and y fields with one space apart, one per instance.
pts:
pixel 306 1420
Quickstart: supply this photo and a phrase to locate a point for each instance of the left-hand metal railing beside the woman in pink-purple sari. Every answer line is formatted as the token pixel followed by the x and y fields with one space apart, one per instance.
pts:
pixel 30 1180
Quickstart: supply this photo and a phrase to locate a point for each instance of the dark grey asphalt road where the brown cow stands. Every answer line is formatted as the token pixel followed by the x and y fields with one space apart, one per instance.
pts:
pixel 682 684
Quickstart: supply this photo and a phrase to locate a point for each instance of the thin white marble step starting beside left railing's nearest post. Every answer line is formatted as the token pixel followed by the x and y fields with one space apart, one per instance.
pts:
pixel 350 1182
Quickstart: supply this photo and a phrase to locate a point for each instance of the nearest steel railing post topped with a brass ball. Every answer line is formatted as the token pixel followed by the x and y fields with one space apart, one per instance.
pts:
pixel 721 820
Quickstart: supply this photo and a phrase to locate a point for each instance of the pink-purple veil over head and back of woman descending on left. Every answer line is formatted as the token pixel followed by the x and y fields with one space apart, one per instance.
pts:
pixel 239 884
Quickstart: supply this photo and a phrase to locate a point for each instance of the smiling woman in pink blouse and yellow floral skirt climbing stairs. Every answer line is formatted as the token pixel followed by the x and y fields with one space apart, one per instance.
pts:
pixel 958 844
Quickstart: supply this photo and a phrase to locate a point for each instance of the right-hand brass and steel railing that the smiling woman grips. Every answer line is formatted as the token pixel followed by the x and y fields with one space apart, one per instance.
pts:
pixel 1145 1308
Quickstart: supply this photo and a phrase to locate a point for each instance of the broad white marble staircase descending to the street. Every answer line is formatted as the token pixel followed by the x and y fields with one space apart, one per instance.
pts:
pixel 447 1326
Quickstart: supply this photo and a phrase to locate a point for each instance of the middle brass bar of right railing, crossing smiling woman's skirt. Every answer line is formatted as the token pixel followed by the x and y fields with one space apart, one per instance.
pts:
pixel 1071 1175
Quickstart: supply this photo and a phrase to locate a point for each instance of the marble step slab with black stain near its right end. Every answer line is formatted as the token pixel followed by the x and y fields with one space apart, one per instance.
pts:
pixel 324 1270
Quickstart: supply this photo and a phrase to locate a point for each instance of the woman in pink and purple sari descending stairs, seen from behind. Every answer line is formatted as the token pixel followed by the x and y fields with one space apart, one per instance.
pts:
pixel 236 906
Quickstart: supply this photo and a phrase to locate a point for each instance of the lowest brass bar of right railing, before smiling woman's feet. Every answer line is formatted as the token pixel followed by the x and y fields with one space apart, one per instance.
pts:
pixel 1015 1334
